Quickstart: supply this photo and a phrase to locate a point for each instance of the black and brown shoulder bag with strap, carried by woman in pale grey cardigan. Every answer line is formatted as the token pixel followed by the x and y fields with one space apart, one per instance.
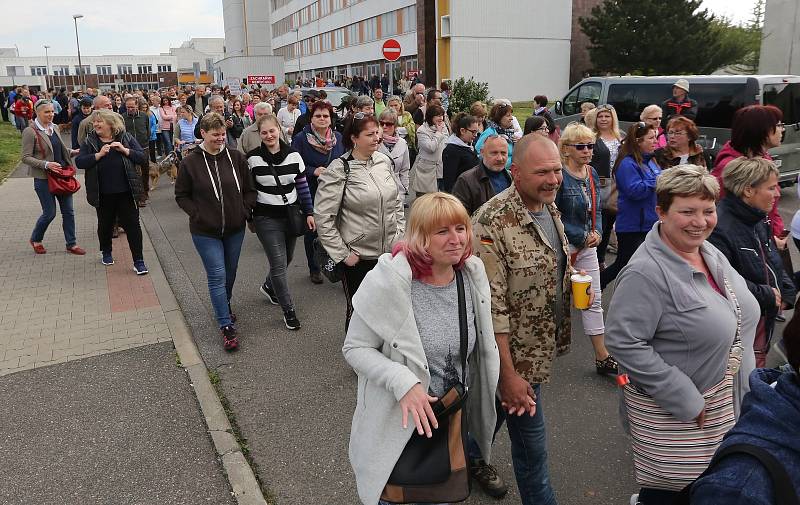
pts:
pixel 436 469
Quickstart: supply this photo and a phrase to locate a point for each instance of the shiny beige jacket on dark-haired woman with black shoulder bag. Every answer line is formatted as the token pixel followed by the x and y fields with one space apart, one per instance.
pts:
pixel 370 220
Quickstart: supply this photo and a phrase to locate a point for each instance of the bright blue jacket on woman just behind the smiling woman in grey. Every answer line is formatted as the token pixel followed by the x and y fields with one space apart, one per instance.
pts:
pixel 636 202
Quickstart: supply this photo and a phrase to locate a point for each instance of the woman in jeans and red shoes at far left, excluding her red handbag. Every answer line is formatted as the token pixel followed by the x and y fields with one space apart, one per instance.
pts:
pixel 42 150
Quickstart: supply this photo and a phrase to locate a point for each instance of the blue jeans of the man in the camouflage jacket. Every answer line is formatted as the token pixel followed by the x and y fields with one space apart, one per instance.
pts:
pixel 528 452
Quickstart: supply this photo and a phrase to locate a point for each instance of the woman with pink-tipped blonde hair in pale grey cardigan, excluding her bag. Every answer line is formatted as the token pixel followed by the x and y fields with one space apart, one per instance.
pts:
pixel 410 355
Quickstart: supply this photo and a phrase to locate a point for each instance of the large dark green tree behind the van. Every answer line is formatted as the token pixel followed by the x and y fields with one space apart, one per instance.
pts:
pixel 655 37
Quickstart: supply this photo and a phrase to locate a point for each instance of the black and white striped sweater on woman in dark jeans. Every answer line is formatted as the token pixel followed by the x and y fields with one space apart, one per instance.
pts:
pixel 290 170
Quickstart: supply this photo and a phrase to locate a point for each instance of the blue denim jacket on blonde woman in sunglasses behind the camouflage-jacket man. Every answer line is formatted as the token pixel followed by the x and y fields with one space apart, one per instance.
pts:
pixel 576 209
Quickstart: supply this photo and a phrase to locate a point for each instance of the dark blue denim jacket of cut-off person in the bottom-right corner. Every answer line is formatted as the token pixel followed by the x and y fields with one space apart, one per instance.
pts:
pixel 770 419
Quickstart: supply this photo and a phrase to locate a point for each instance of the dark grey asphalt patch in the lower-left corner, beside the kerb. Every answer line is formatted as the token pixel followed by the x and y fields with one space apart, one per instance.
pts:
pixel 115 429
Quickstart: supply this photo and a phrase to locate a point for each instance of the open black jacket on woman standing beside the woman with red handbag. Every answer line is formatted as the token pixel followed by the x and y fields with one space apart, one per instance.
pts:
pixel 86 161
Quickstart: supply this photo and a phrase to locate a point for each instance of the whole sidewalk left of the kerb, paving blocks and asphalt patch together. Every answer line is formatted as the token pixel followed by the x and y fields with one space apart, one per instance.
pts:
pixel 96 407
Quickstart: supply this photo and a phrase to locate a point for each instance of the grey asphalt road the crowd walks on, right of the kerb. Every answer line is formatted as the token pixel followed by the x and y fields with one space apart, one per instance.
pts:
pixel 293 394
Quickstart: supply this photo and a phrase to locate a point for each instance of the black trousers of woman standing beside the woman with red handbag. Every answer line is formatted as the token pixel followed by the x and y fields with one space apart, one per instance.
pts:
pixel 119 207
